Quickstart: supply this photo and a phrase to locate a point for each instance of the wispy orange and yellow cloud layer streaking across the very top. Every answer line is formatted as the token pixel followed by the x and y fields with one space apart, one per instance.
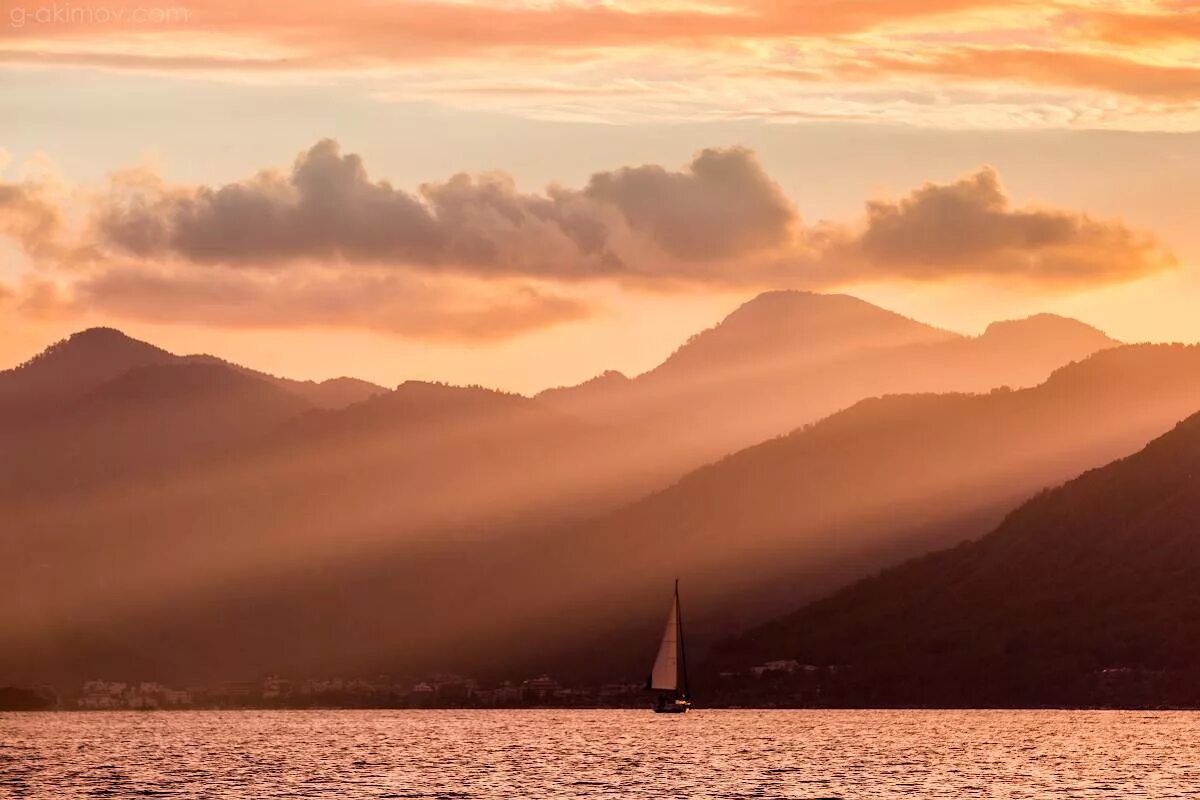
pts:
pixel 699 61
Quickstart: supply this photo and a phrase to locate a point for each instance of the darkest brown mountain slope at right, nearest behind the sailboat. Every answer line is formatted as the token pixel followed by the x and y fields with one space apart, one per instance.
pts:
pixel 1085 596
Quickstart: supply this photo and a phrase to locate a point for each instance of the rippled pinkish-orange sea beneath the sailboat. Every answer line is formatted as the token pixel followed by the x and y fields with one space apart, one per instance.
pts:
pixel 603 754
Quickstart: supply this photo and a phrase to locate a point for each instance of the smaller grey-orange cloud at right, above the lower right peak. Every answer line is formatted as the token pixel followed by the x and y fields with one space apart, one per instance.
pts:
pixel 969 228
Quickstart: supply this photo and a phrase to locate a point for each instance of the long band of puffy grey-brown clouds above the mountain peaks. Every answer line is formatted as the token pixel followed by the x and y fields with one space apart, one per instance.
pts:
pixel 721 220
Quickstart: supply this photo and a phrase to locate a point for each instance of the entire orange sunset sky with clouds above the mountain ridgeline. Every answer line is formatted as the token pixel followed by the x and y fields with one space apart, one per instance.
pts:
pixel 524 195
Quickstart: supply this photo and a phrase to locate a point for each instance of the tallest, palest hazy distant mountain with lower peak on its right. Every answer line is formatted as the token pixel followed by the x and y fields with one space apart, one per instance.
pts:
pixel 787 359
